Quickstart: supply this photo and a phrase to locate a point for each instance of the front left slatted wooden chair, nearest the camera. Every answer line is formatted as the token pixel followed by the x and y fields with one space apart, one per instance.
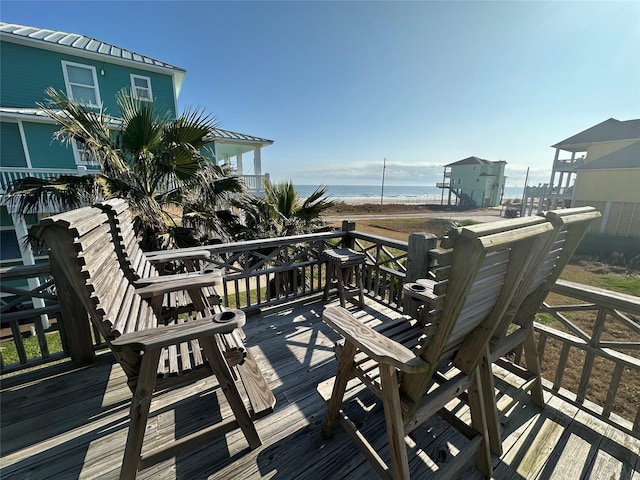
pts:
pixel 153 357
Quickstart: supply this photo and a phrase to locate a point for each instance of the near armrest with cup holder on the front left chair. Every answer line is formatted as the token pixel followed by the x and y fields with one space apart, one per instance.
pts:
pixel 159 337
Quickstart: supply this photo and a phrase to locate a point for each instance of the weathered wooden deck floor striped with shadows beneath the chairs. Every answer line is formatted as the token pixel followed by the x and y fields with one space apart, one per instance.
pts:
pixel 73 424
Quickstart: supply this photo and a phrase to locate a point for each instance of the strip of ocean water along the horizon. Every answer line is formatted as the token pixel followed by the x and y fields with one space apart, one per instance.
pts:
pixel 391 194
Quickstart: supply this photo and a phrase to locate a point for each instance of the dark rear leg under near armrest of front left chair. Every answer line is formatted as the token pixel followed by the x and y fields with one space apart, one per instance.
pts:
pixel 140 405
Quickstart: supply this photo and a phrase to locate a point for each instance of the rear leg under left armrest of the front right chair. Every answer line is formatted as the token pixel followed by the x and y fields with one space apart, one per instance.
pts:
pixel 394 422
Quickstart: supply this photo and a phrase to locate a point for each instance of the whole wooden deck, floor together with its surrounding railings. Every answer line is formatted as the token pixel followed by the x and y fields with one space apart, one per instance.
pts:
pixel 66 421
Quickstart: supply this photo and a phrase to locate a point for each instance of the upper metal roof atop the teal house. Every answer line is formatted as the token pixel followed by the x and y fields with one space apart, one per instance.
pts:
pixel 81 43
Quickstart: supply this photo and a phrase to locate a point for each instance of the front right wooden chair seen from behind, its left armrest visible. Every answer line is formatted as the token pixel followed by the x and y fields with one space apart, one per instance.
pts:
pixel 408 365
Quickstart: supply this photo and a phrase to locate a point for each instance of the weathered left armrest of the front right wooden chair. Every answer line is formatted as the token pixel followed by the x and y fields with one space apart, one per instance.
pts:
pixel 374 344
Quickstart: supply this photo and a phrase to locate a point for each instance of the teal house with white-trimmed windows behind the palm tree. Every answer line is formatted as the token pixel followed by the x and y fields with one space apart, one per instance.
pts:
pixel 88 70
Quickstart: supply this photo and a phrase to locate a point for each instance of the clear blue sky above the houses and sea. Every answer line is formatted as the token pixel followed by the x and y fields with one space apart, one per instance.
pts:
pixel 339 86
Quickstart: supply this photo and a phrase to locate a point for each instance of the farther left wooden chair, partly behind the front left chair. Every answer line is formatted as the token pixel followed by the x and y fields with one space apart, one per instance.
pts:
pixel 178 293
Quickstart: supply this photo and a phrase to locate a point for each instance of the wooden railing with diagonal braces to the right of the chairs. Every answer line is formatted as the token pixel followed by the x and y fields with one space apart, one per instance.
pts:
pixel 600 333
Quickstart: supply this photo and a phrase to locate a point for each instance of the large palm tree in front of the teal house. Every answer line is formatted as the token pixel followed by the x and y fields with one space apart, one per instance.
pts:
pixel 158 164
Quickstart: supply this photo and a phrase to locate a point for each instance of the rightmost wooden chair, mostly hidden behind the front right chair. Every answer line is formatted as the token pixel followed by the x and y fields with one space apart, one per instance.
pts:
pixel 515 332
